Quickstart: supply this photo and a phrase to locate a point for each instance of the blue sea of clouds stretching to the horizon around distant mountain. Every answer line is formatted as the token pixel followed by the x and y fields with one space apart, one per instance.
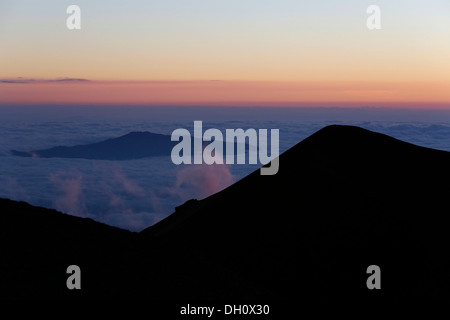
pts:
pixel 135 194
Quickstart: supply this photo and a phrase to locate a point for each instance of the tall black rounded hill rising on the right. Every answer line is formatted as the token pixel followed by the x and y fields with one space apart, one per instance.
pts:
pixel 344 198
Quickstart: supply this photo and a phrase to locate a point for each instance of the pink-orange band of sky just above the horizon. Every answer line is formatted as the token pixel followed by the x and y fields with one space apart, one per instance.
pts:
pixel 231 93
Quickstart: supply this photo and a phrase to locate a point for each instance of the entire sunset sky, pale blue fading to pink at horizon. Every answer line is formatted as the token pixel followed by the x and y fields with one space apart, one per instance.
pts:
pixel 234 52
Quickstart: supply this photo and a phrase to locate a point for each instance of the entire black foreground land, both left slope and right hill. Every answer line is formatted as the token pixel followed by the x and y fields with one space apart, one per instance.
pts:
pixel 343 199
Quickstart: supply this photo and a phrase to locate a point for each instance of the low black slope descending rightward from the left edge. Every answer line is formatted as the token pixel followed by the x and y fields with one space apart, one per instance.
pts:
pixel 37 245
